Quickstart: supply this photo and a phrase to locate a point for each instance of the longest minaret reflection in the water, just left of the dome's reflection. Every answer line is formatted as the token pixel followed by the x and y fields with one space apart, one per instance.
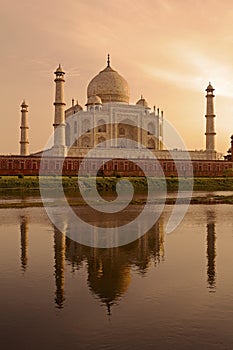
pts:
pixel 59 267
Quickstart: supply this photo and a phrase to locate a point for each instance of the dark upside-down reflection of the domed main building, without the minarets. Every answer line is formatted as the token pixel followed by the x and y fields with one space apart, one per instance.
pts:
pixel 109 271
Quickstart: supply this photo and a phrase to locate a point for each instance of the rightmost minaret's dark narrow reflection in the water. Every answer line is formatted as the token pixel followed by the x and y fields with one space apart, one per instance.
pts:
pixel 211 251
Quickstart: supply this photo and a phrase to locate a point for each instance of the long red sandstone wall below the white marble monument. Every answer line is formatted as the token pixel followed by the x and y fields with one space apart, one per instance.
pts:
pixel 15 165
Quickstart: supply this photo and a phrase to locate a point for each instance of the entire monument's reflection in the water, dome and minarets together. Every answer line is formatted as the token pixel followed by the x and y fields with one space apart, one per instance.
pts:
pixel 109 270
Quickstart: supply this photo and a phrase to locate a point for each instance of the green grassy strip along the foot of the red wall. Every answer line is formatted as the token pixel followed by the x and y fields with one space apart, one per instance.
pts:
pixel 30 184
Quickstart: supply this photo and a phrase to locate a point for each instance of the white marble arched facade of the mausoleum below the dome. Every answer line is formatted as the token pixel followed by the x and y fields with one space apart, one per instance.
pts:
pixel 121 124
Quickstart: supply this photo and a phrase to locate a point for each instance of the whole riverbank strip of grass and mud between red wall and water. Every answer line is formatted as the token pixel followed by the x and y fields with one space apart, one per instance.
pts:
pixel 25 192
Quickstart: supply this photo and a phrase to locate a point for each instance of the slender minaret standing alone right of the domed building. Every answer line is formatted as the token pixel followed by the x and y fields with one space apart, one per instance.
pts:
pixel 210 129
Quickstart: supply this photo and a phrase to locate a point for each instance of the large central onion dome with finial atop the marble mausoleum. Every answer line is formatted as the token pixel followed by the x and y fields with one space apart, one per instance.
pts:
pixel 109 86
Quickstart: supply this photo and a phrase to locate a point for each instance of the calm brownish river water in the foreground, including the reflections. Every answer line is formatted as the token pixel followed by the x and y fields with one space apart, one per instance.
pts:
pixel 161 292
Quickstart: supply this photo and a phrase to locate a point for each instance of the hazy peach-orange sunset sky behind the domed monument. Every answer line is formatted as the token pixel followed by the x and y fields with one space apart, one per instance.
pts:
pixel 167 50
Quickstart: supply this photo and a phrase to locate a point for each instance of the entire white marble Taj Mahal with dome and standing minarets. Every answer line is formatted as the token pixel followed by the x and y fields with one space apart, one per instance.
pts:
pixel 110 123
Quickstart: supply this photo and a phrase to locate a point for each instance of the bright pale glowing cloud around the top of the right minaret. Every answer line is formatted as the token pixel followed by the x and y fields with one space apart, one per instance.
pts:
pixel 192 69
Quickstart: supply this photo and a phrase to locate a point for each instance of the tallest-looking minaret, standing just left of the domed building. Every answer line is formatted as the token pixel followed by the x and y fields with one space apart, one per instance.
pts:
pixel 59 117
